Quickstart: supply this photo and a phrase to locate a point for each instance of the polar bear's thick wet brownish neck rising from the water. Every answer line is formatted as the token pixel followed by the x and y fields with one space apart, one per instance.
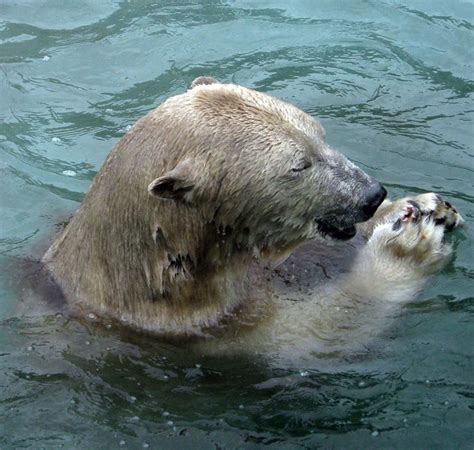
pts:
pixel 175 278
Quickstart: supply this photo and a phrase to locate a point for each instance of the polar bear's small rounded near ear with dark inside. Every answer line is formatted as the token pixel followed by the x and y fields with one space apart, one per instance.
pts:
pixel 175 183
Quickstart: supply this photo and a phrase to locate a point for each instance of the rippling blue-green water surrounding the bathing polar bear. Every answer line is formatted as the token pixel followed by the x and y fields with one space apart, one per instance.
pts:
pixel 392 83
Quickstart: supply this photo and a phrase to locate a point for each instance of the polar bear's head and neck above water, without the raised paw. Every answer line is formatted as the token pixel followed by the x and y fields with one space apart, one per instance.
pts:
pixel 198 190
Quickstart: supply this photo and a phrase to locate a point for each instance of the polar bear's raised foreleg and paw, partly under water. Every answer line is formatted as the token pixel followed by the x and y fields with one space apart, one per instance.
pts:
pixel 347 315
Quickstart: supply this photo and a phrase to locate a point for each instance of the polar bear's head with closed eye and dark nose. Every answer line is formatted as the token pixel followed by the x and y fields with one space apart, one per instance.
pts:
pixel 261 169
